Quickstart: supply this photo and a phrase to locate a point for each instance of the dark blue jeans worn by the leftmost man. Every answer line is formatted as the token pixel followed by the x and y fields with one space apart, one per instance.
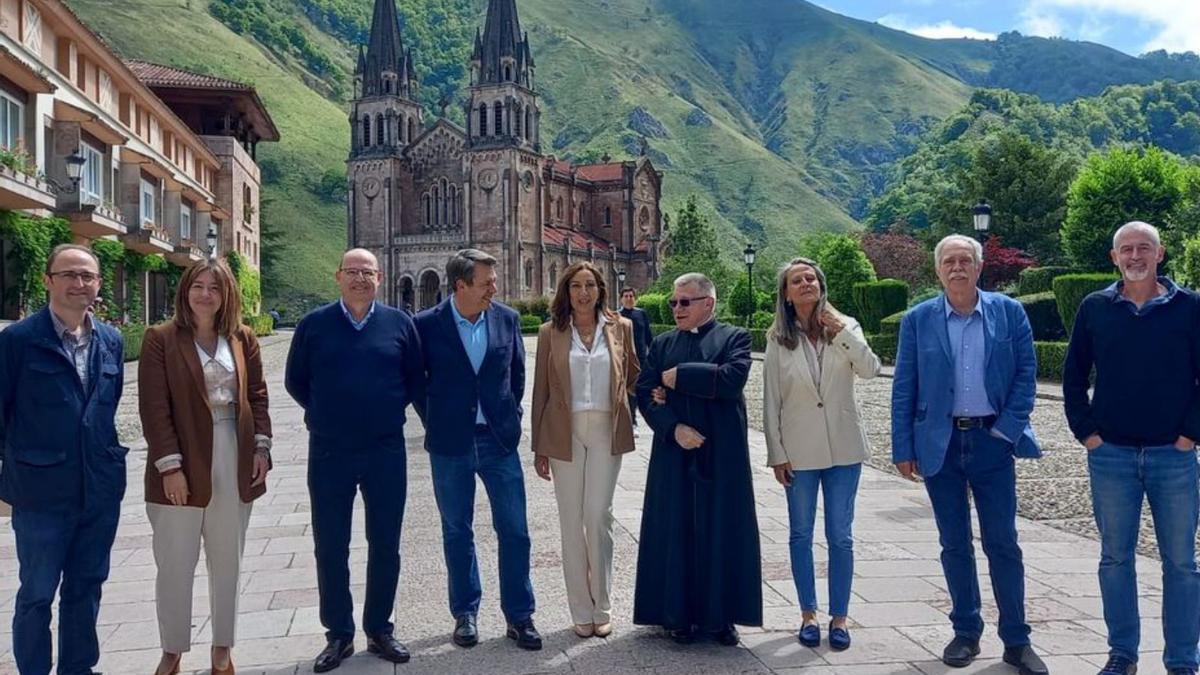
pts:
pixel 73 547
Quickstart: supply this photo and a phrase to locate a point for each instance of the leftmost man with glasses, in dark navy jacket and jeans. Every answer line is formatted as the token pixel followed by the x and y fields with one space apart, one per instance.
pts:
pixel 63 468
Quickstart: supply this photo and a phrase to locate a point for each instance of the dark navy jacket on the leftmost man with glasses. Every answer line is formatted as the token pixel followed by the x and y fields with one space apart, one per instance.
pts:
pixel 61 447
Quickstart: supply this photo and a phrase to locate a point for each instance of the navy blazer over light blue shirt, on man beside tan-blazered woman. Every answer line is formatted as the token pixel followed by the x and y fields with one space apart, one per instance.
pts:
pixel 453 390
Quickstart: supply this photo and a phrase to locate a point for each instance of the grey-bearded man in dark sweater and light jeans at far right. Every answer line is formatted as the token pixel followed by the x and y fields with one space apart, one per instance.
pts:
pixel 1143 337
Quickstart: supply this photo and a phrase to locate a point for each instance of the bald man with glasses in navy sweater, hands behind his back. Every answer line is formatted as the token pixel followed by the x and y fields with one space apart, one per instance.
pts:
pixel 355 367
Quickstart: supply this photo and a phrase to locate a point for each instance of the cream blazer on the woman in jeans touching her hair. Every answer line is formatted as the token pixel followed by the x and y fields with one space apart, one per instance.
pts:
pixel 808 428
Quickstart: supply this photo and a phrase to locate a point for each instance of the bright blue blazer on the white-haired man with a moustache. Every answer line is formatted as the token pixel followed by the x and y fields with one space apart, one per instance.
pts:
pixel 923 389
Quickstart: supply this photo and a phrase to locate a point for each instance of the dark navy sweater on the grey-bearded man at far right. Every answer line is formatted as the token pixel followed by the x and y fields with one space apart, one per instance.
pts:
pixel 1148 367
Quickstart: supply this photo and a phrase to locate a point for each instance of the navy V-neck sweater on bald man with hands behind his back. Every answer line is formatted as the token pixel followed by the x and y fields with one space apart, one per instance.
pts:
pixel 355 385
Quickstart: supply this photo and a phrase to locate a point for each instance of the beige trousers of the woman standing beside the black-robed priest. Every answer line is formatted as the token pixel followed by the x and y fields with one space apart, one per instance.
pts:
pixel 584 489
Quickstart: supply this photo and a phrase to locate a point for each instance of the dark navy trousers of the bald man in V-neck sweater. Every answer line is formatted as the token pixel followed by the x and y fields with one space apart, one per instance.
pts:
pixel 337 474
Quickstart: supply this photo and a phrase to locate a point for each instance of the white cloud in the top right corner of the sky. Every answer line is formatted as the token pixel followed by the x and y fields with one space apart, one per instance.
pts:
pixel 1173 22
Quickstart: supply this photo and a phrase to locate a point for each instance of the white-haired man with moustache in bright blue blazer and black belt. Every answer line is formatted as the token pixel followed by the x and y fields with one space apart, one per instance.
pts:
pixel 964 389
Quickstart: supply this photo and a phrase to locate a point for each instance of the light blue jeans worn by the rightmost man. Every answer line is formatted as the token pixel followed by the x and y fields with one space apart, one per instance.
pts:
pixel 1171 480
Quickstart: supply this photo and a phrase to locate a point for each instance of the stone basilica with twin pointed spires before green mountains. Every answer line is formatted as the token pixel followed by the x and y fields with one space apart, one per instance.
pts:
pixel 419 193
